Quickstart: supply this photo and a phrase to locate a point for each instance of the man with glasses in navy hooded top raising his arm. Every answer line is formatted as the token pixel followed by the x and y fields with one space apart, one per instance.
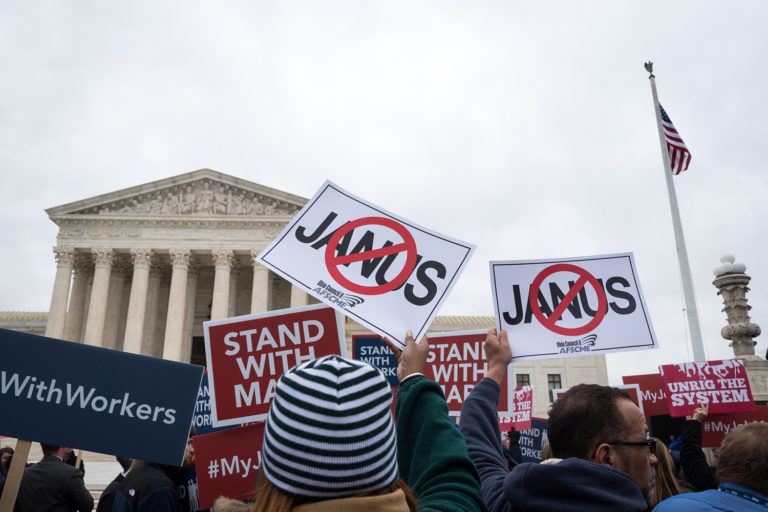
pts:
pixel 598 435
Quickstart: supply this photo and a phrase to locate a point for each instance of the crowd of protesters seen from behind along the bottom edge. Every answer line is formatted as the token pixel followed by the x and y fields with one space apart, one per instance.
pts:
pixel 331 443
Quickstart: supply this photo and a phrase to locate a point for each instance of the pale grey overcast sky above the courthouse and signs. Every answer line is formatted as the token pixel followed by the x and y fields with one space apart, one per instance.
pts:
pixel 526 128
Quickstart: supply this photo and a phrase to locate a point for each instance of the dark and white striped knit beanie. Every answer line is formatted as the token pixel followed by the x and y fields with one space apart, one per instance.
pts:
pixel 329 431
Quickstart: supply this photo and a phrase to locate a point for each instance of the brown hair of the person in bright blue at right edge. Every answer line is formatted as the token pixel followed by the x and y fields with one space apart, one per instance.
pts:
pixel 743 457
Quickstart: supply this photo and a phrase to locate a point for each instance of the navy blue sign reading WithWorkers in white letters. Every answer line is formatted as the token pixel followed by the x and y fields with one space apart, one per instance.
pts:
pixel 96 399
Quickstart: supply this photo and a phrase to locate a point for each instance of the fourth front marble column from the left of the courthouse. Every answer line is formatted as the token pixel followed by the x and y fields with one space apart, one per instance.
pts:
pixel 174 323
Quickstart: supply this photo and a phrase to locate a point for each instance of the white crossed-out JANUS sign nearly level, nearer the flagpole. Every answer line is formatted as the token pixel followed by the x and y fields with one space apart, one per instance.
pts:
pixel 571 306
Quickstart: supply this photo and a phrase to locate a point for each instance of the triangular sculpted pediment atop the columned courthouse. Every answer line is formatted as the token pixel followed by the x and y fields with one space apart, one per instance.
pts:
pixel 202 193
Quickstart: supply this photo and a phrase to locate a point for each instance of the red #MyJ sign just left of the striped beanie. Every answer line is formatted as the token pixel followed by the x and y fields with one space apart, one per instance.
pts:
pixel 227 463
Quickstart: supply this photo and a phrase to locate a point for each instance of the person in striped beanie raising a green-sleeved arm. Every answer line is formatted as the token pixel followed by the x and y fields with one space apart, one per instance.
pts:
pixel 330 442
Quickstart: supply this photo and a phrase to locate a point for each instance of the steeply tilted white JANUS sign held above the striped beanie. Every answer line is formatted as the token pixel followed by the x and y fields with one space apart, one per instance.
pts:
pixel 387 273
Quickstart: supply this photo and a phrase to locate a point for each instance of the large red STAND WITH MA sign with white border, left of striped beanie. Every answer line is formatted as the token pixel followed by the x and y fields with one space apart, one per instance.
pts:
pixel 248 354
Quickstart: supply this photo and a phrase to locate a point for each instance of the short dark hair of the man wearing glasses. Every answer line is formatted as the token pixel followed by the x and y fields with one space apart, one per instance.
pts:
pixel 584 416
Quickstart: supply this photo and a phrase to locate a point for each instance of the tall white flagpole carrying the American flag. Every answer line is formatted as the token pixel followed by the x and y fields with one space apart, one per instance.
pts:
pixel 682 253
